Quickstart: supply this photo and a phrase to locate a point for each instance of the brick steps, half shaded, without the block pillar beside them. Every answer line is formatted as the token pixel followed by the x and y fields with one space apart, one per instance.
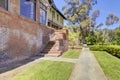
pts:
pixel 51 50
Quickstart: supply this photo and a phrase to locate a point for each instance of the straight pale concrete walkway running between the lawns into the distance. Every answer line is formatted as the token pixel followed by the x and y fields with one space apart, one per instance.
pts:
pixel 87 68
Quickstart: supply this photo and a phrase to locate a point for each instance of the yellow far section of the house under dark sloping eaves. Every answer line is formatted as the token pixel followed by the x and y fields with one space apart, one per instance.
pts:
pixel 55 17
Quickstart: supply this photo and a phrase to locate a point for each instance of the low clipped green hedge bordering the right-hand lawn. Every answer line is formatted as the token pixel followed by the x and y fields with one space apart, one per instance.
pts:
pixel 112 49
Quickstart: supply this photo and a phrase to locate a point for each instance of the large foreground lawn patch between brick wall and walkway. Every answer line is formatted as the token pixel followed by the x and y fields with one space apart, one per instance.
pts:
pixel 46 70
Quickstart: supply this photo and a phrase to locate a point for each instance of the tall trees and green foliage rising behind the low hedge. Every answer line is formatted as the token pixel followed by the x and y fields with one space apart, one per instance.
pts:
pixel 78 12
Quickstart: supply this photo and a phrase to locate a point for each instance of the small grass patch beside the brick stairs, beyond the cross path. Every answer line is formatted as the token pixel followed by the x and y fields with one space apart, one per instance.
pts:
pixel 71 54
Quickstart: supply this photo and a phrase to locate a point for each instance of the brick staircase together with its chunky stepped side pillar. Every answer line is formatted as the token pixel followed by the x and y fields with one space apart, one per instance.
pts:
pixel 57 45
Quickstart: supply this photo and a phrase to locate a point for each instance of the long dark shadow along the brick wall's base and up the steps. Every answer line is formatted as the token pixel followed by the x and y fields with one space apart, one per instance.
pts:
pixel 13 65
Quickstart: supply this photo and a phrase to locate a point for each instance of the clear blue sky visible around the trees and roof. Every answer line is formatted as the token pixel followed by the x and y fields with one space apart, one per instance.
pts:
pixel 105 6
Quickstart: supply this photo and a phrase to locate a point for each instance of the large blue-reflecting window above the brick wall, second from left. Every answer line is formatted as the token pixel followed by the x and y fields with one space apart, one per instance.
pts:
pixel 28 9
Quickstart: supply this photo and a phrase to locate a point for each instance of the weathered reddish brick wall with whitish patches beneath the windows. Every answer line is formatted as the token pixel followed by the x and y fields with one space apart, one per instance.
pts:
pixel 20 37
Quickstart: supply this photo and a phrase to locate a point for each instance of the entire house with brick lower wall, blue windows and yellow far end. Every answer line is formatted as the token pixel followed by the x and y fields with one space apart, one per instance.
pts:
pixel 24 30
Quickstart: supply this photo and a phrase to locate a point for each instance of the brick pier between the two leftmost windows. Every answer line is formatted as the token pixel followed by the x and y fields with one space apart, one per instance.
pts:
pixel 14 6
